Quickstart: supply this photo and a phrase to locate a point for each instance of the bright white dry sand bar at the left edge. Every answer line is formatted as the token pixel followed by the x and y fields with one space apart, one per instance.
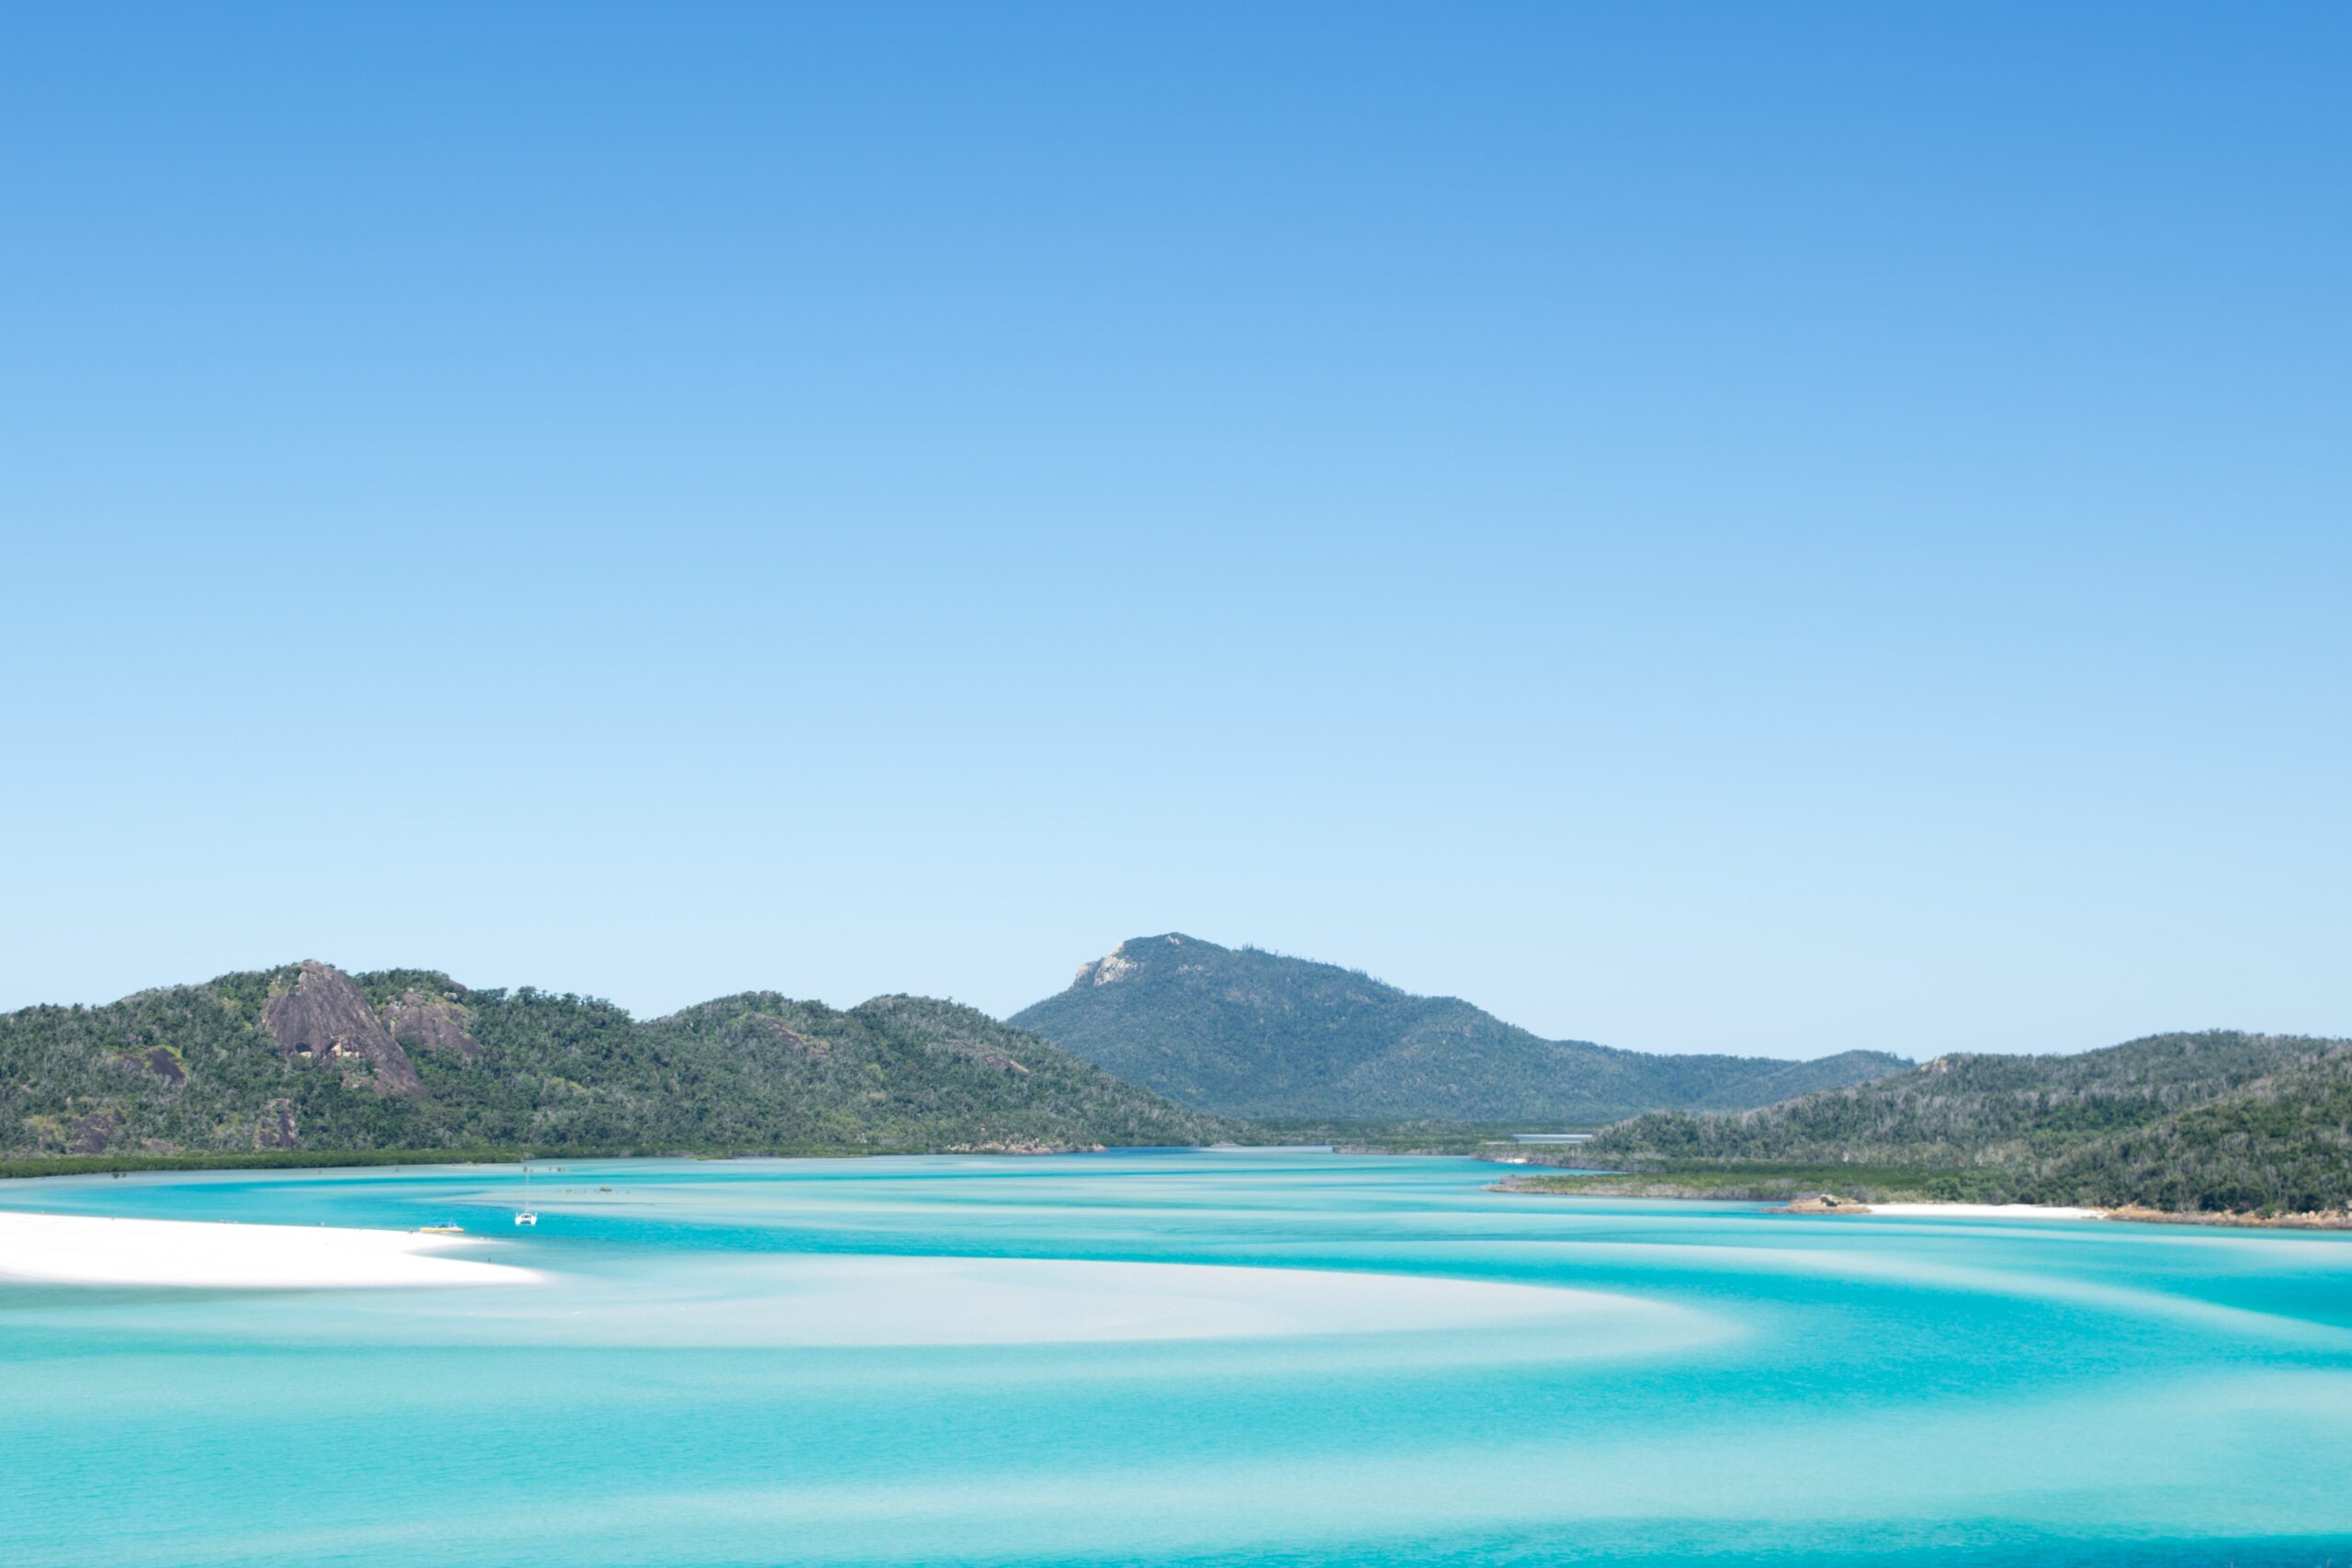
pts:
pixel 100 1252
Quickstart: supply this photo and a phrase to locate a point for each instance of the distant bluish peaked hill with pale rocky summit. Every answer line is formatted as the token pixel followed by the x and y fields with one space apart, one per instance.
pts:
pixel 1252 1033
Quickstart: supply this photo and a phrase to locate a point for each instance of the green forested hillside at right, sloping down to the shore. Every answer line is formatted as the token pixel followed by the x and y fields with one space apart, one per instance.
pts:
pixel 2212 1123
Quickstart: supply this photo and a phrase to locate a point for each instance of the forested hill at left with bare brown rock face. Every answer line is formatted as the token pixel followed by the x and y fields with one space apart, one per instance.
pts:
pixel 314 1059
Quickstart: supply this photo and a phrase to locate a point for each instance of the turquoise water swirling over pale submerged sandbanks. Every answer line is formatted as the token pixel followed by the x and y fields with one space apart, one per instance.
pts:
pixel 1177 1358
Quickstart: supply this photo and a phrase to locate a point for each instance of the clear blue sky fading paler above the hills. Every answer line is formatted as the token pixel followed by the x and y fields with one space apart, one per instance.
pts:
pixel 1690 525
